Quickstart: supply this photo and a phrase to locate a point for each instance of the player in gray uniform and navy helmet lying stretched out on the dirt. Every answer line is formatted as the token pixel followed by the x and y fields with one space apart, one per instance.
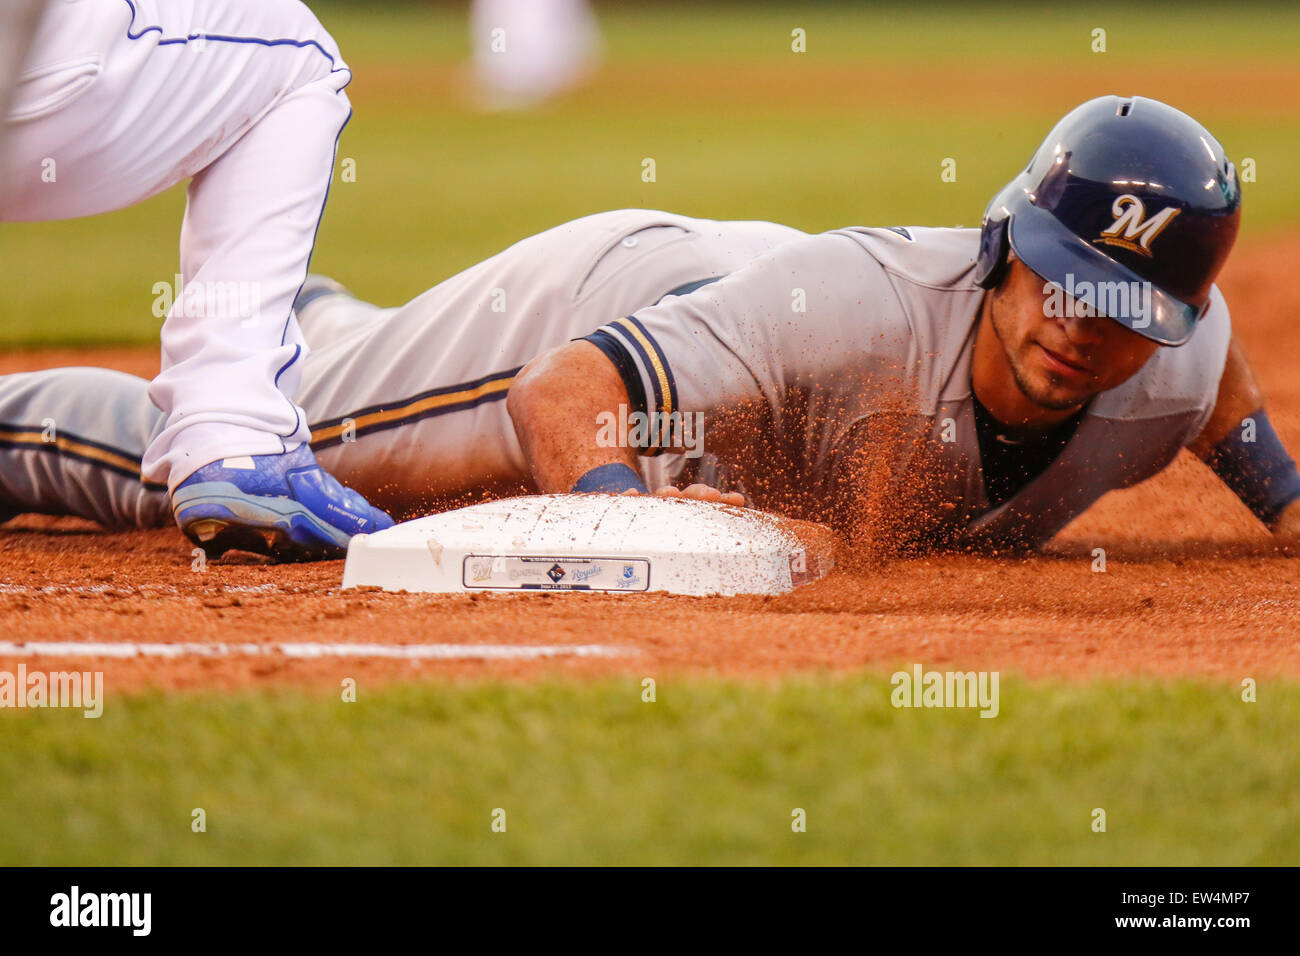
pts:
pixel 926 388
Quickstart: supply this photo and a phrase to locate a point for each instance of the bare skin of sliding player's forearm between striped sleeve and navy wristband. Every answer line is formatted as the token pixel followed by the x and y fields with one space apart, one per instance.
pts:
pixel 554 404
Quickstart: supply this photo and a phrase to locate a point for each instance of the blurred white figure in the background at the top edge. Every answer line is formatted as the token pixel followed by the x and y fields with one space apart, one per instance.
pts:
pixel 531 51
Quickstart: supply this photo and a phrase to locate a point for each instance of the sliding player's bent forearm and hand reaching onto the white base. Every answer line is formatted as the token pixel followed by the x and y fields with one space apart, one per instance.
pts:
pixel 557 404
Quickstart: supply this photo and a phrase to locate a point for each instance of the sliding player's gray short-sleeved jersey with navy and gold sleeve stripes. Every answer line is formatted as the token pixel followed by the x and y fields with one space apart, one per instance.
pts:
pixel 866 336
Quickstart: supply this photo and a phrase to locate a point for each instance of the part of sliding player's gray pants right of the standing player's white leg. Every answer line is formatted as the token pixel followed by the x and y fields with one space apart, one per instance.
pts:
pixel 409 408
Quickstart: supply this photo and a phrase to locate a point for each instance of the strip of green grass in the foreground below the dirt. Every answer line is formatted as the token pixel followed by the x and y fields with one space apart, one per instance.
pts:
pixel 708 775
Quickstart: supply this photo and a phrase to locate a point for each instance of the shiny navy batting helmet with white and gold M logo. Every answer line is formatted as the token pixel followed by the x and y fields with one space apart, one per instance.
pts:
pixel 1124 191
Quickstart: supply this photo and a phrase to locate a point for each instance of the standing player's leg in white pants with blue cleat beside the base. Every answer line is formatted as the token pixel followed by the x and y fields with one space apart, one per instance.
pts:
pixel 122 100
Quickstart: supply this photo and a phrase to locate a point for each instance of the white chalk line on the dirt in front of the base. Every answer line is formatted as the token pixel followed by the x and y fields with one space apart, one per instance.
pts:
pixel 401 652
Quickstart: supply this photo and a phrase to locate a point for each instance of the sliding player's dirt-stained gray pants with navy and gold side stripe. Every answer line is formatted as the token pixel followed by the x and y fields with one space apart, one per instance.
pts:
pixel 406 405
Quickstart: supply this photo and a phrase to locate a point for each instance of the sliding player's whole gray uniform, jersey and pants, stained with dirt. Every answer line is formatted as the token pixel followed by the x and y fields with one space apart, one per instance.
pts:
pixel 808 351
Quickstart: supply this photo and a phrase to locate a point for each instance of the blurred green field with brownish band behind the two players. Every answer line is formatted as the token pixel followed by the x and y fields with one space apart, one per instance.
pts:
pixel 834 137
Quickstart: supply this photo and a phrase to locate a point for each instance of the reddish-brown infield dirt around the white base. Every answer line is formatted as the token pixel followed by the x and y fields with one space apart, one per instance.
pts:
pixel 1193 585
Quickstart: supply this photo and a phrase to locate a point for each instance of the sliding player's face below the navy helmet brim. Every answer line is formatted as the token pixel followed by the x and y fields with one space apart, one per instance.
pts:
pixel 1061 362
